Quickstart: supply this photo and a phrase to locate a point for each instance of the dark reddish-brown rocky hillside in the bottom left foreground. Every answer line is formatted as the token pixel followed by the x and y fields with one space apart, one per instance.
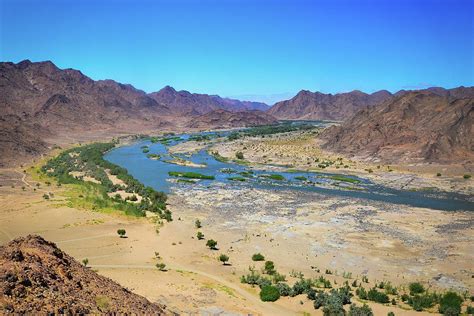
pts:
pixel 36 277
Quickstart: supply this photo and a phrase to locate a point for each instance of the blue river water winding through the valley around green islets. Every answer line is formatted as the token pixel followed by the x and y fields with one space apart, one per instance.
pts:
pixel 154 173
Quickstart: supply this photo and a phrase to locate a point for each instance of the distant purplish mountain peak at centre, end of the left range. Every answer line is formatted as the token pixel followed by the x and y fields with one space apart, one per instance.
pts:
pixel 193 104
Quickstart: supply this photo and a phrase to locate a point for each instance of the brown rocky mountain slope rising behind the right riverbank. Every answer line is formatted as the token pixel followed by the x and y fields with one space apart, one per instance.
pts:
pixel 434 125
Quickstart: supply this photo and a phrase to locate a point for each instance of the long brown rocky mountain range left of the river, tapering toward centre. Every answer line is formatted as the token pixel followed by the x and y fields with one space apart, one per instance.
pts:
pixel 41 105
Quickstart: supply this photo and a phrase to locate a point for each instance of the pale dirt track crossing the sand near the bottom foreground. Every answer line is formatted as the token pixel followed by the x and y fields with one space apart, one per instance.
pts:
pixel 265 308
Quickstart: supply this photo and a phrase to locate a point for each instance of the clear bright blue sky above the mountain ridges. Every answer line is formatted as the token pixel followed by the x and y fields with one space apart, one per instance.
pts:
pixel 263 50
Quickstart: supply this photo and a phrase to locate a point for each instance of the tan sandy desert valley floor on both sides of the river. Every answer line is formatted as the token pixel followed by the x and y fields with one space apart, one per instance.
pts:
pixel 342 239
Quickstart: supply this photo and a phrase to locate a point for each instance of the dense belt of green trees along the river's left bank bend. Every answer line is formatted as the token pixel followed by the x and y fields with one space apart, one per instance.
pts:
pixel 88 160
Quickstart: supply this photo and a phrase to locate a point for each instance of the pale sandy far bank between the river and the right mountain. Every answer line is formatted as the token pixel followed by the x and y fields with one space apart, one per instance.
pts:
pixel 301 150
